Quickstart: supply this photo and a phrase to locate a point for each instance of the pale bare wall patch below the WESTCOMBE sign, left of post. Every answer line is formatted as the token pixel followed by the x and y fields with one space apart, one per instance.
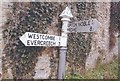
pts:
pixel 42 69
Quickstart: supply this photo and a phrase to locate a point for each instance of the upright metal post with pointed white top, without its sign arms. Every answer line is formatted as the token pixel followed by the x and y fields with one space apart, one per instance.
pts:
pixel 66 14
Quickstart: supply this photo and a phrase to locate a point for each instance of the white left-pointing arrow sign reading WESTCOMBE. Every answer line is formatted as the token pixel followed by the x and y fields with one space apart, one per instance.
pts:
pixel 36 39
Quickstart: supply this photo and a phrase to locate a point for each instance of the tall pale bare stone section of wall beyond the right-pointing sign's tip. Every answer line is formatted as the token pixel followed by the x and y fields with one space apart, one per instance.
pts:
pixel 100 45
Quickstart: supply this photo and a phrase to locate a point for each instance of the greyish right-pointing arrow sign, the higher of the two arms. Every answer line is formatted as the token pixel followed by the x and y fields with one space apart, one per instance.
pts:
pixel 84 26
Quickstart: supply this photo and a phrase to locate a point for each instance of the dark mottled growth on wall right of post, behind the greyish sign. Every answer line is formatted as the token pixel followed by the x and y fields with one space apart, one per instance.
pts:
pixel 79 44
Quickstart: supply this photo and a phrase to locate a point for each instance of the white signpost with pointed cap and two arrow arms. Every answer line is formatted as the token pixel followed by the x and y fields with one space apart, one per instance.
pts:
pixel 36 39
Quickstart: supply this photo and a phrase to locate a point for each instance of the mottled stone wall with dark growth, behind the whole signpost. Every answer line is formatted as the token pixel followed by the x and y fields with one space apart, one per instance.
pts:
pixel 85 50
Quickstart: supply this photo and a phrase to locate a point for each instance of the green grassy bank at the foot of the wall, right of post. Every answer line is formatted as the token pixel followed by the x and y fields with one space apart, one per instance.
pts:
pixel 109 71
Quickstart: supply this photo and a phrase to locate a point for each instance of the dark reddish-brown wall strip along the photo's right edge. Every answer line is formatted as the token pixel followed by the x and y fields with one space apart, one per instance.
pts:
pixel 114 28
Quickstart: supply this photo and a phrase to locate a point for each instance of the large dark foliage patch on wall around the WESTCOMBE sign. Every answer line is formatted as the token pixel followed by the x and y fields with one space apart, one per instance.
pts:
pixel 25 17
